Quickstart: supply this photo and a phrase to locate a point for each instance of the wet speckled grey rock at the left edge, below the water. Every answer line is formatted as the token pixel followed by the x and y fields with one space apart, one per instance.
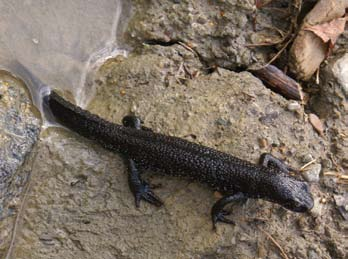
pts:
pixel 19 130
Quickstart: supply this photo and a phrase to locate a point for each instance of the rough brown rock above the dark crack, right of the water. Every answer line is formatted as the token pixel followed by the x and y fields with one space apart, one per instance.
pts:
pixel 224 33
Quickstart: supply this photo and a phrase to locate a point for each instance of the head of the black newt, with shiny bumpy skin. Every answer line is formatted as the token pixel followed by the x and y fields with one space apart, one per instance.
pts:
pixel 293 194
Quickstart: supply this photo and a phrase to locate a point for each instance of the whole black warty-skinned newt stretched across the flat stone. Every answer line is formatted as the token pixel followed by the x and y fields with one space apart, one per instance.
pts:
pixel 235 178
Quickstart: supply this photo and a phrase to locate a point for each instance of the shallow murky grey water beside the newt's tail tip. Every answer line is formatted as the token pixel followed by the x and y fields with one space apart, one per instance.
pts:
pixel 60 42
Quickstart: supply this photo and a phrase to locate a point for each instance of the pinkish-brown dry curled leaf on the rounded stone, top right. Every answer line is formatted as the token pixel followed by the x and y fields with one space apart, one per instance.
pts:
pixel 329 31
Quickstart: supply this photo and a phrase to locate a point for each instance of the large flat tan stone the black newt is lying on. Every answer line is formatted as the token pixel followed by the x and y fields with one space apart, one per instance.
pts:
pixel 81 207
